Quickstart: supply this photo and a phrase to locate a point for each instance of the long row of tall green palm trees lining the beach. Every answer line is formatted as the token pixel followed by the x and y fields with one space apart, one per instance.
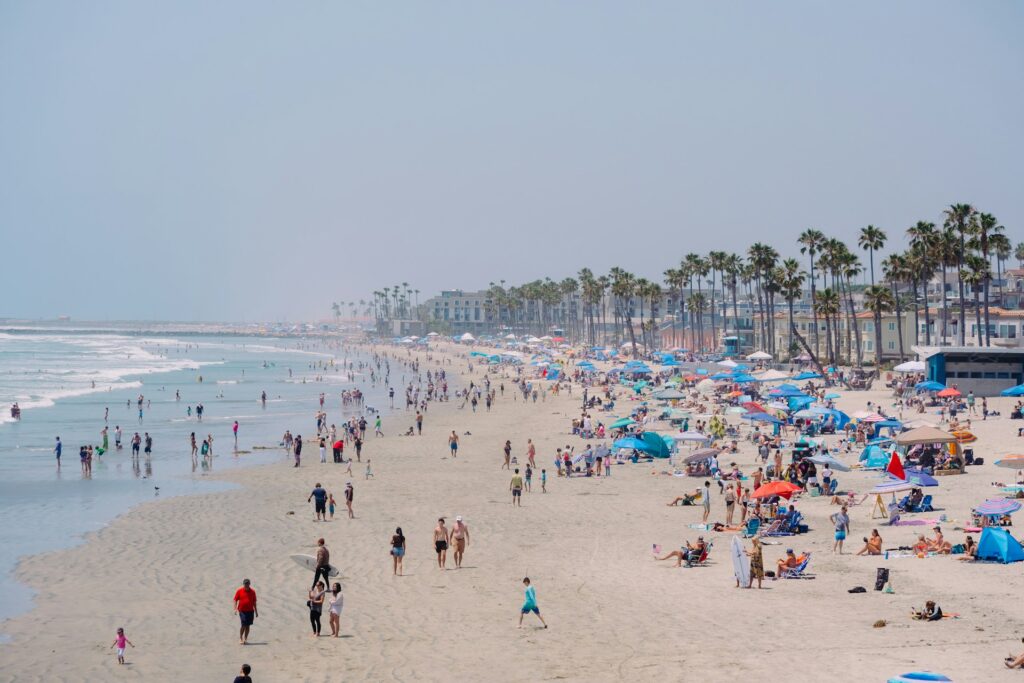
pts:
pixel 709 288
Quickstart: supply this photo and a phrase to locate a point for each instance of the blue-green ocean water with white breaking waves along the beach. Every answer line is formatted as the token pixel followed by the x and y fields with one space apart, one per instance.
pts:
pixel 66 381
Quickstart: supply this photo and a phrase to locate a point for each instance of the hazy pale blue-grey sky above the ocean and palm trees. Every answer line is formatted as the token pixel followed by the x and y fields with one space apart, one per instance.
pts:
pixel 258 161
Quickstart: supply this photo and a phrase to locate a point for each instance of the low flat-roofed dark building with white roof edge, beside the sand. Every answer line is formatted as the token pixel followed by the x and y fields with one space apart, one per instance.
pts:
pixel 987 372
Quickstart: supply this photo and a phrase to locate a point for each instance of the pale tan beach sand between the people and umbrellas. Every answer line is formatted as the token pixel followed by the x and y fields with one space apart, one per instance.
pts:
pixel 168 570
